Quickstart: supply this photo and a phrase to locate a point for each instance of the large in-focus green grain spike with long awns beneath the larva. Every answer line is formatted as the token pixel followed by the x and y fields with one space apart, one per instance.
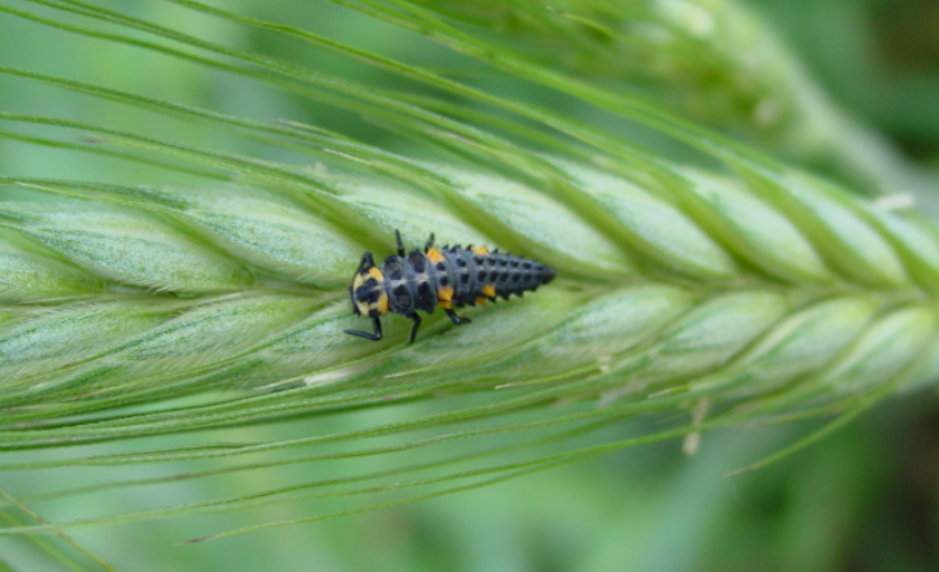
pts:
pixel 140 307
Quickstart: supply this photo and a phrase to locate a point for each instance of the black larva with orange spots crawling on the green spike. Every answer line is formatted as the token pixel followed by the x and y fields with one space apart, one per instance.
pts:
pixel 449 277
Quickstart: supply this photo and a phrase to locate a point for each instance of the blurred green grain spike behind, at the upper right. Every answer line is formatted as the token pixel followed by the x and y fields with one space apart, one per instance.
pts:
pixel 715 61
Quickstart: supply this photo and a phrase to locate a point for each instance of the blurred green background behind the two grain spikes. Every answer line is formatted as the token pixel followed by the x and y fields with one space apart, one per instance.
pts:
pixel 865 499
